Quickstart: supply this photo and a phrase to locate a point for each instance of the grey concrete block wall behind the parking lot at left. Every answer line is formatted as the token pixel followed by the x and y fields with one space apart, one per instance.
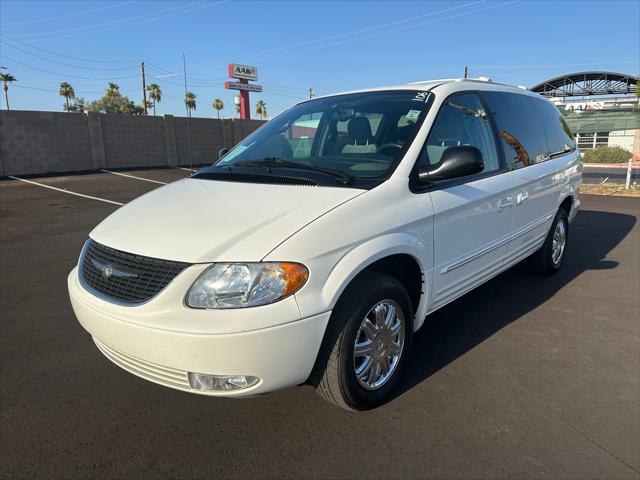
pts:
pixel 33 143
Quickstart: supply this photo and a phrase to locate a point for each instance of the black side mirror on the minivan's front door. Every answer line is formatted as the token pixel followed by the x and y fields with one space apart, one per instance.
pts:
pixel 455 162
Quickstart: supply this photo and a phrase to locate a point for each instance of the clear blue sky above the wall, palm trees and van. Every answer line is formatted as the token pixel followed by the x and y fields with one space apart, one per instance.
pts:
pixel 329 46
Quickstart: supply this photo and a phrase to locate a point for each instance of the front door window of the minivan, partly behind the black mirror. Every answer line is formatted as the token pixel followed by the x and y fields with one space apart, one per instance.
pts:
pixel 462 120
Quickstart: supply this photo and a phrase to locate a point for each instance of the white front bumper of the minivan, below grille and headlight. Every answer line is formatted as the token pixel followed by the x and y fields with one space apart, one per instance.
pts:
pixel 186 340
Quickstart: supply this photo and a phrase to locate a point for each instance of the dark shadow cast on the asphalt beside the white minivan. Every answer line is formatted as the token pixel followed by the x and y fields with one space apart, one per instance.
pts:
pixel 458 327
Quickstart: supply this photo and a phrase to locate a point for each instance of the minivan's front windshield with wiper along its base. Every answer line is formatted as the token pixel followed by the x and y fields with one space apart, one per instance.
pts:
pixel 362 136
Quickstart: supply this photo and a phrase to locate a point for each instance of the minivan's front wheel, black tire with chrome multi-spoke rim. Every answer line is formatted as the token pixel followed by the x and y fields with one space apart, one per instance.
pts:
pixel 335 376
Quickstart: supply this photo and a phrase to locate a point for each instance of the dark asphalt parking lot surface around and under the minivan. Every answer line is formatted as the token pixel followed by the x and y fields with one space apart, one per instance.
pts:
pixel 525 377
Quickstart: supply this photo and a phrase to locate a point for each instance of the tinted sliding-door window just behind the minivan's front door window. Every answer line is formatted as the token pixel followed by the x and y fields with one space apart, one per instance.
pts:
pixel 520 127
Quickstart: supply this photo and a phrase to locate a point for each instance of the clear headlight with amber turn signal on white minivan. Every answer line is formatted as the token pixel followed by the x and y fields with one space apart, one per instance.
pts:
pixel 237 285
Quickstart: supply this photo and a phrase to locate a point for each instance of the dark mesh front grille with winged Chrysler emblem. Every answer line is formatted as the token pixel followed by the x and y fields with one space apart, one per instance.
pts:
pixel 124 276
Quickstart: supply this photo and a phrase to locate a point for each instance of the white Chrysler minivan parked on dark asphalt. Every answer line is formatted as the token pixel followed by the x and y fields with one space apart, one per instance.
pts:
pixel 313 251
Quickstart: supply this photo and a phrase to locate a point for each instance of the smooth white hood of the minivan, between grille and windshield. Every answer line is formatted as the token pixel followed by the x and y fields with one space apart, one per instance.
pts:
pixel 197 221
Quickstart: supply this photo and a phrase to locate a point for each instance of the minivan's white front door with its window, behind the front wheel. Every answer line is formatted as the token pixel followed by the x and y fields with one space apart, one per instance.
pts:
pixel 473 216
